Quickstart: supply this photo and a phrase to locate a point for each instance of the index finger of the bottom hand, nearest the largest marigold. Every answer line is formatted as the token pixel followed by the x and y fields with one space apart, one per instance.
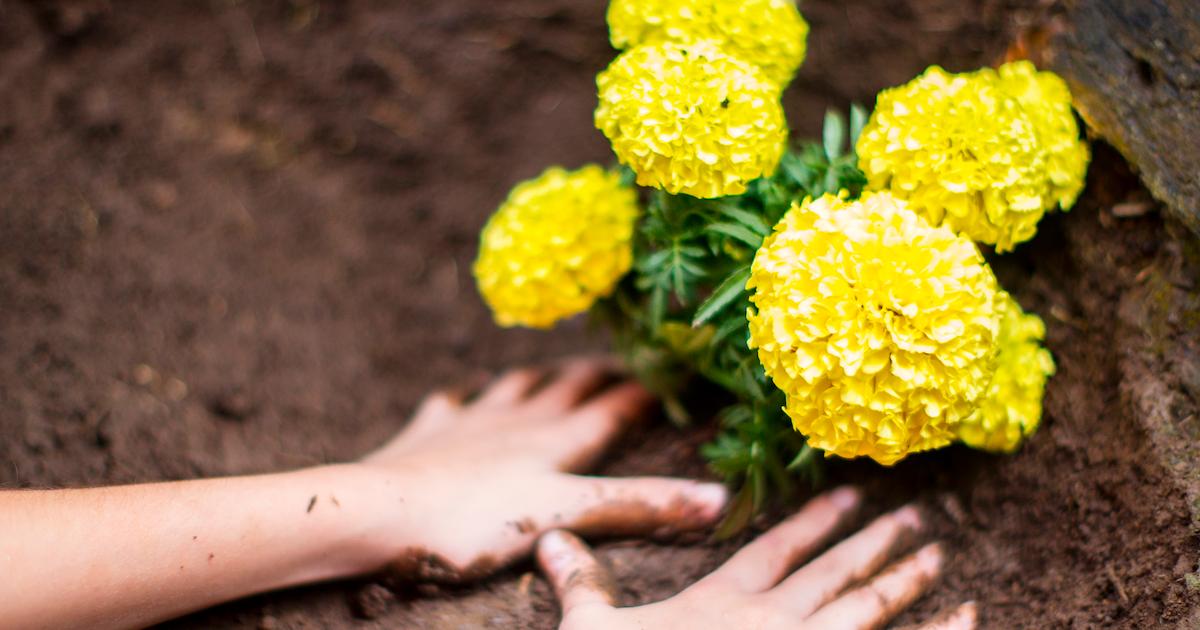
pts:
pixel 765 562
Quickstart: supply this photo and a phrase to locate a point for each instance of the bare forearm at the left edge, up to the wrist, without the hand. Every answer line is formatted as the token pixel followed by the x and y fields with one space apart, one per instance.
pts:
pixel 130 556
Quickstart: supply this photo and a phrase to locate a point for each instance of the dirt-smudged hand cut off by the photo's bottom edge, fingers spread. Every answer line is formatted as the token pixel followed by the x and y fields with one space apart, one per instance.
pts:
pixel 754 590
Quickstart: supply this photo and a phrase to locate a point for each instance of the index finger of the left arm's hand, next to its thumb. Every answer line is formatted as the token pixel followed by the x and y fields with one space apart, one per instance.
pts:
pixel 581 439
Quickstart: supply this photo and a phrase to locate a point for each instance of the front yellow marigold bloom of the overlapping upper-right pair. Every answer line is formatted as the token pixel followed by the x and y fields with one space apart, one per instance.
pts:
pixel 962 152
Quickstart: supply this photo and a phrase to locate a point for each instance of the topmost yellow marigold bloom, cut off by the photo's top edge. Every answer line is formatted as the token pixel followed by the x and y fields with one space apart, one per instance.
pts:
pixel 770 34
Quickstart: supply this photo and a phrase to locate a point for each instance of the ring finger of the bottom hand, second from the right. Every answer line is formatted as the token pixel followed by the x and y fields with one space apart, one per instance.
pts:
pixel 886 596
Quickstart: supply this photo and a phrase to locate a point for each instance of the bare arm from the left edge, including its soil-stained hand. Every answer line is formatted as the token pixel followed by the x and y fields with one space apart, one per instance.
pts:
pixel 464 490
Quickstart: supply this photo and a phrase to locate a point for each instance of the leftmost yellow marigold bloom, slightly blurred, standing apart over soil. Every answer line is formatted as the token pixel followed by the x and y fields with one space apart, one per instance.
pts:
pixel 557 244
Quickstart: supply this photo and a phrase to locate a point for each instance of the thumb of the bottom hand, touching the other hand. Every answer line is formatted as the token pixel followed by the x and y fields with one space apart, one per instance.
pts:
pixel 577 575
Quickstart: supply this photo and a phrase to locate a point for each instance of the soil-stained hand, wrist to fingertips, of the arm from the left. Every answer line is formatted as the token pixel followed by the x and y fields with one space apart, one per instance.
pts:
pixel 481 482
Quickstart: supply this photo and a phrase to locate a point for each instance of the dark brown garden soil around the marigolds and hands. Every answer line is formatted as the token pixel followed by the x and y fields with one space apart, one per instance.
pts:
pixel 236 237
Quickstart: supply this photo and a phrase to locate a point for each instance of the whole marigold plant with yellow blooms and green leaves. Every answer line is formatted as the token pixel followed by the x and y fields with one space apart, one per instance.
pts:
pixel 836 322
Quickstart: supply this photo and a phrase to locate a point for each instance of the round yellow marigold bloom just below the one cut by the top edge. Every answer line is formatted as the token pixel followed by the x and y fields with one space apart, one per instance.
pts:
pixel 692 119
